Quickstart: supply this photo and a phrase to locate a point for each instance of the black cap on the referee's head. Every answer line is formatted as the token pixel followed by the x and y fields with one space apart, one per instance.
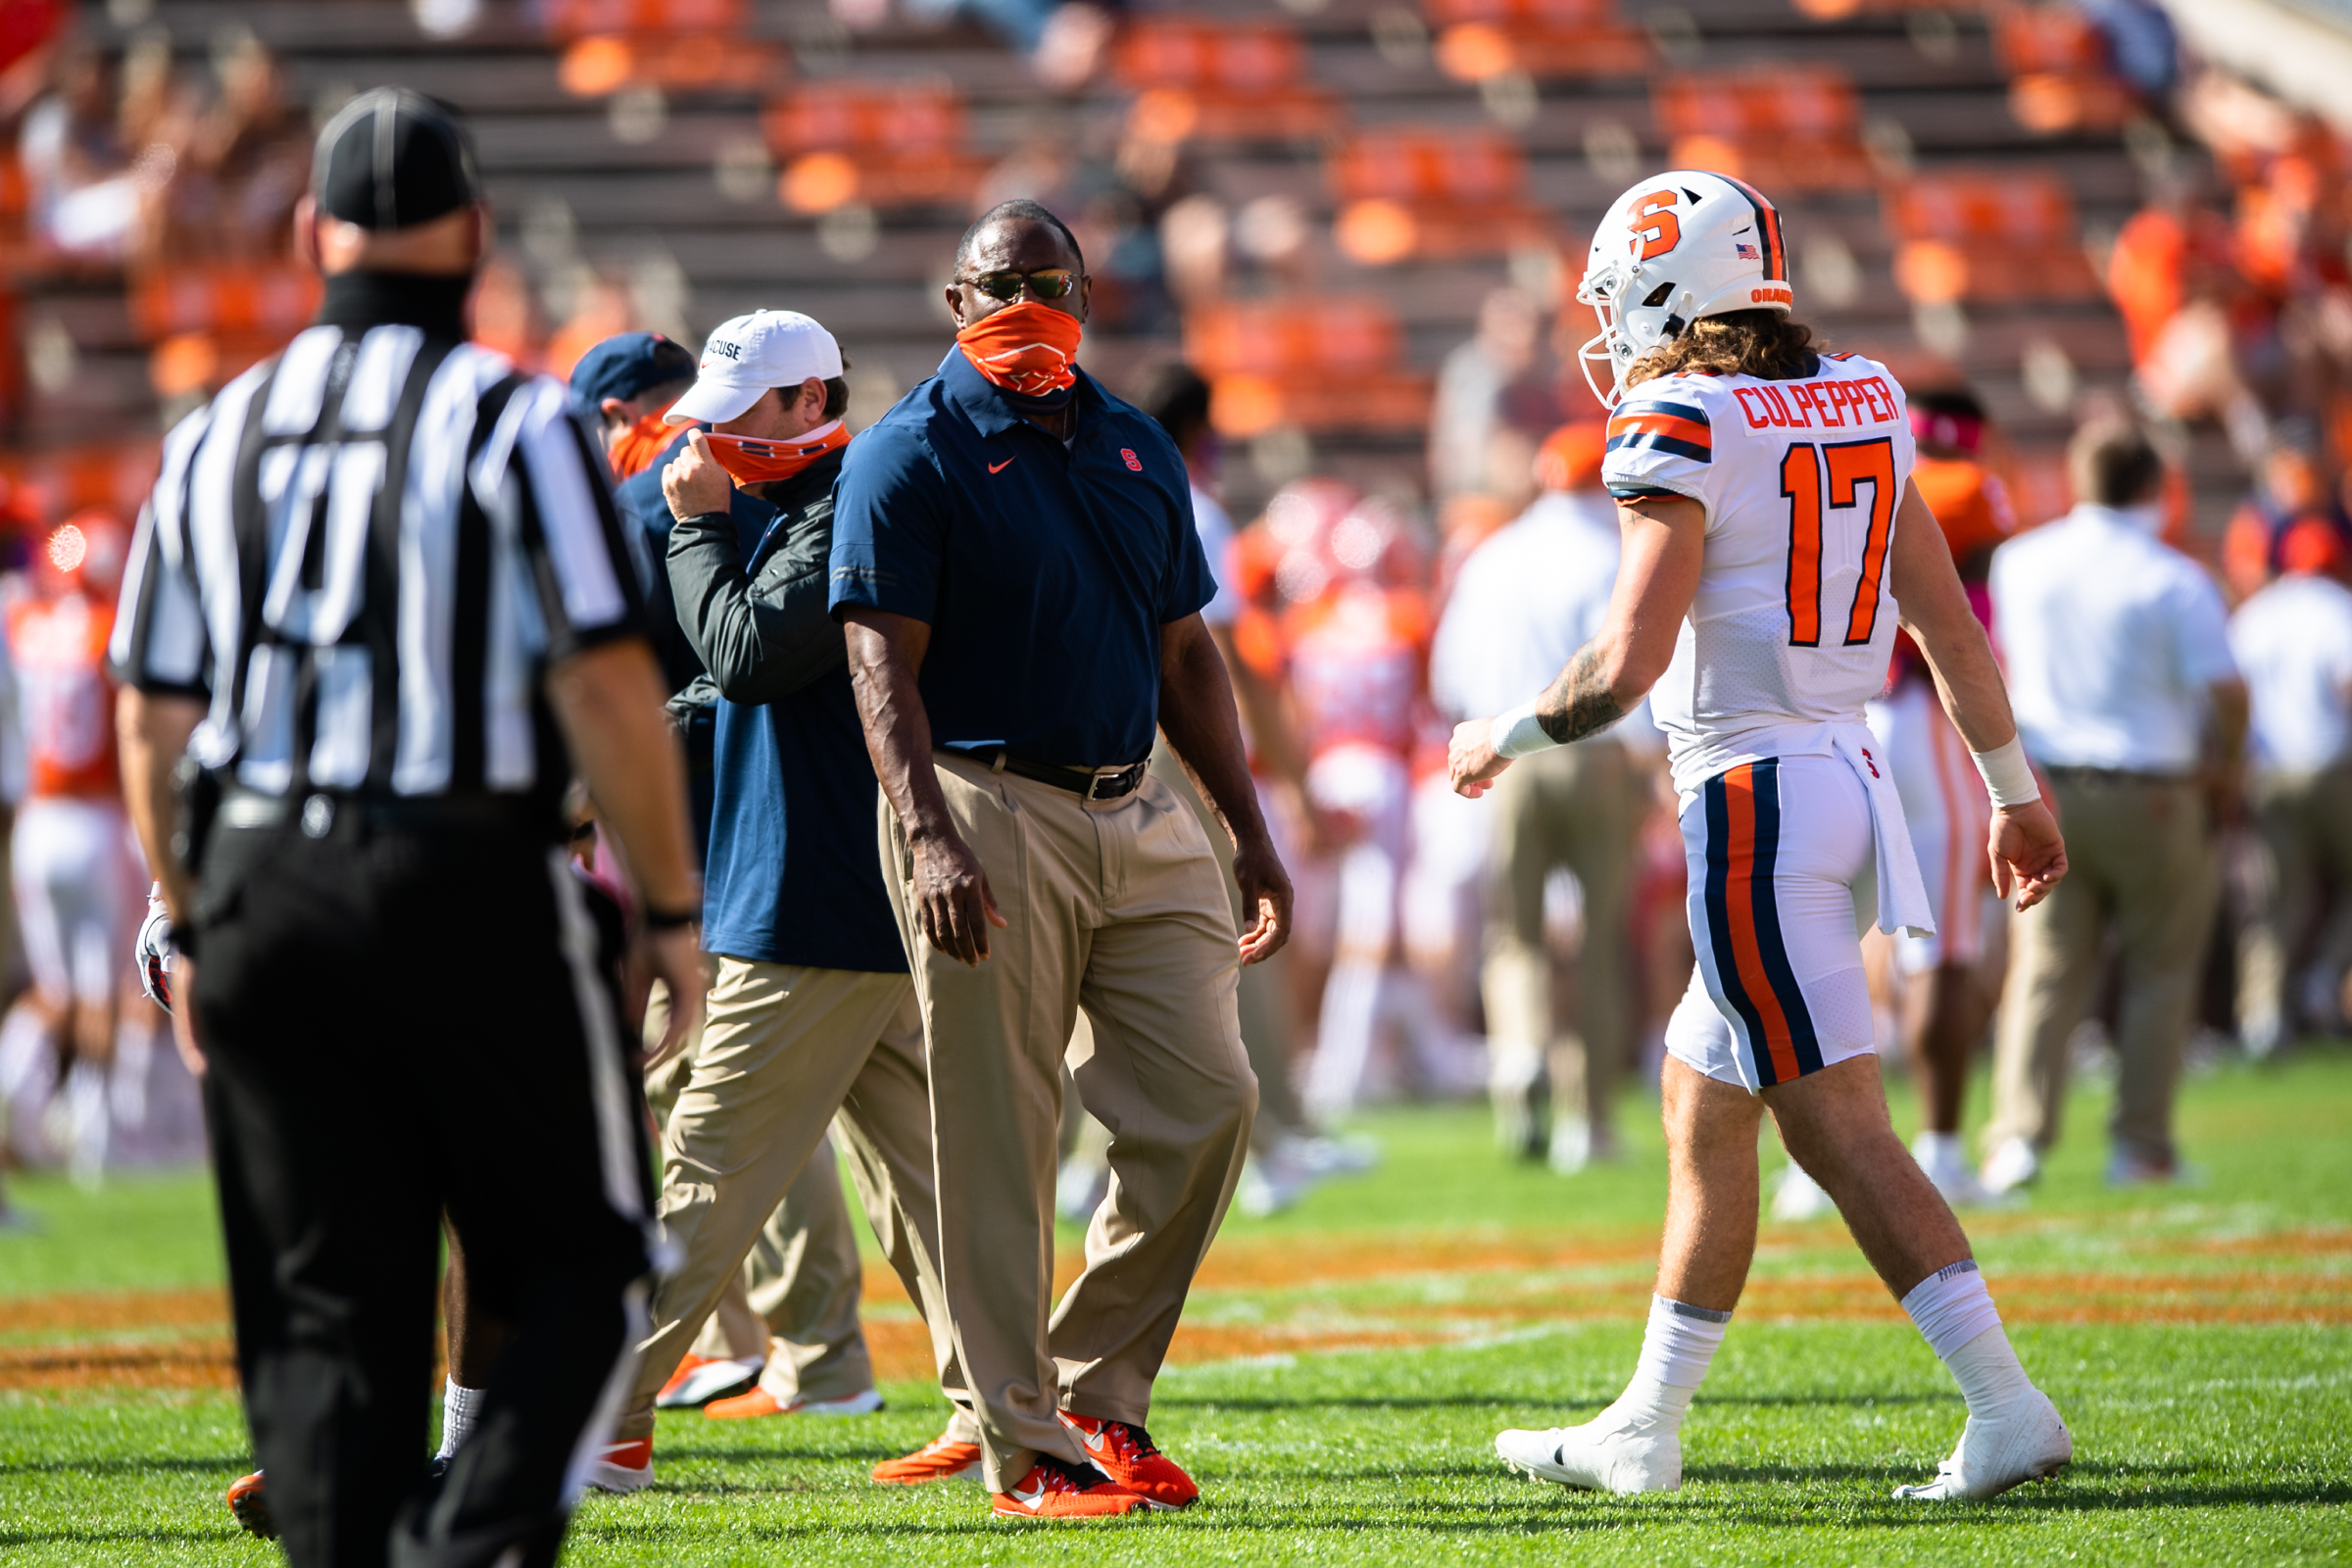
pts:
pixel 394 159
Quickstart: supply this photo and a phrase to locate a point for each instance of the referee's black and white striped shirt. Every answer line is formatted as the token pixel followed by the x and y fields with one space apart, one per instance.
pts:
pixel 363 556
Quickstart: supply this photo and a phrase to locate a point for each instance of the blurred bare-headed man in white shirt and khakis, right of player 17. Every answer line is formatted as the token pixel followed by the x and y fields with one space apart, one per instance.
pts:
pixel 2132 706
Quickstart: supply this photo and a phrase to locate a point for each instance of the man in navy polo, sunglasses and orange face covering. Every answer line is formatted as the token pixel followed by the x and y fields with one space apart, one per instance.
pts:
pixel 1022 587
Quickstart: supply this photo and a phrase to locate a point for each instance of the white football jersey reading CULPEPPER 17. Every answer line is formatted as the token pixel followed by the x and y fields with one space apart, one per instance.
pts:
pixel 1793 624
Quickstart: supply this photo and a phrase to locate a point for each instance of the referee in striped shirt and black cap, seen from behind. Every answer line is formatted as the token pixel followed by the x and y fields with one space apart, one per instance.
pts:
pixel 382 608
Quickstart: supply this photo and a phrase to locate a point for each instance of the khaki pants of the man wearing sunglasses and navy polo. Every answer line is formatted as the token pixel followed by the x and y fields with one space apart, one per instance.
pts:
pixel 1116 909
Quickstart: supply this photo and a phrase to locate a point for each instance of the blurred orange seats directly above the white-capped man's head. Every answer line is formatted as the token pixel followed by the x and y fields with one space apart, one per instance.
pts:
pixel 883 145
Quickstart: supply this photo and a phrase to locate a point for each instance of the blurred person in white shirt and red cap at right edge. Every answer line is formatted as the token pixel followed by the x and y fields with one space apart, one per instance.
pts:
pixel 2294 648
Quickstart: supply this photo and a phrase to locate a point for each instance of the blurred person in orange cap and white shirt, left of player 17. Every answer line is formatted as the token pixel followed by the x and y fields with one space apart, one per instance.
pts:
pixel 1525 601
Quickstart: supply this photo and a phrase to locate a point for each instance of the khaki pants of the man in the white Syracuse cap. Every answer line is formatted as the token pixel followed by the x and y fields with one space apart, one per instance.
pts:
pixel 782 1050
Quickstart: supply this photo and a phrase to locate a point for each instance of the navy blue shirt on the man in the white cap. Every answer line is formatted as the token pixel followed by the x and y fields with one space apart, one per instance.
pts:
pixel 794 873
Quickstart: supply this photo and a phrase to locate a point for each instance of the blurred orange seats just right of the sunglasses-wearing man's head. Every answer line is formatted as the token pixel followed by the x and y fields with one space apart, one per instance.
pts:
pixel 1314 363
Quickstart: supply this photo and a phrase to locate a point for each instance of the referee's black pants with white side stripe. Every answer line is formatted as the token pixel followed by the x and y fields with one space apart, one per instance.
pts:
pixel 401 1024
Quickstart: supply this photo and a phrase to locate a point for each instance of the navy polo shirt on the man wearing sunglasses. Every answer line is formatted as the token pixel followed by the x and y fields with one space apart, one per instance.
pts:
pixel 1045 572
